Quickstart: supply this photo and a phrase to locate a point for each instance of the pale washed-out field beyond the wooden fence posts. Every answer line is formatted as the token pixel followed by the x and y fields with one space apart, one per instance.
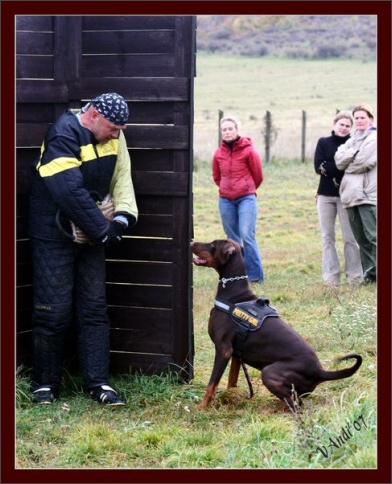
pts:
pixel 248 87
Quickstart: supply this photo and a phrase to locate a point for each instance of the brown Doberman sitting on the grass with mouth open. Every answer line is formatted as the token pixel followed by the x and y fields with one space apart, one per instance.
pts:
pixel 288 363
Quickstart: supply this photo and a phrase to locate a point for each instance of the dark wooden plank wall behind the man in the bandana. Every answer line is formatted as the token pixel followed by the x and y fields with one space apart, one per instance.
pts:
pixel 64 61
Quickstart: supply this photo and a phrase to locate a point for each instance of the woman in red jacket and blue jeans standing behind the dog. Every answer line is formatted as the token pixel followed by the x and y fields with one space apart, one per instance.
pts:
pixel 237 170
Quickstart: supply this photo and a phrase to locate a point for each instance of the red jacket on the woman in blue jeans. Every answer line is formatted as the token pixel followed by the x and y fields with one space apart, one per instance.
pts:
pixel 237 169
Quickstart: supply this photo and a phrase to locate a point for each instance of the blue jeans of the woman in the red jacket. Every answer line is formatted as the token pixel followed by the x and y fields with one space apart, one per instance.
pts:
pixel 239 223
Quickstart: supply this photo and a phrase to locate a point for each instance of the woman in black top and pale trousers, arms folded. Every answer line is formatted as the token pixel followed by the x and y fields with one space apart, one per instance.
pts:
pixel 329 206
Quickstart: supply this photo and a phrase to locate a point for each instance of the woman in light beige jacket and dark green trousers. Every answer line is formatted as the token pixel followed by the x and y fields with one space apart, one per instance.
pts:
pixel 358 189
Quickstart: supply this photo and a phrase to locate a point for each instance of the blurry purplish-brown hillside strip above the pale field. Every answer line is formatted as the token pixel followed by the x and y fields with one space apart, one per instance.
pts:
pixel 292 36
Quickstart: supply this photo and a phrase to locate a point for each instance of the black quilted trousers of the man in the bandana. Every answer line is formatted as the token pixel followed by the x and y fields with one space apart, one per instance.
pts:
pixel 69 287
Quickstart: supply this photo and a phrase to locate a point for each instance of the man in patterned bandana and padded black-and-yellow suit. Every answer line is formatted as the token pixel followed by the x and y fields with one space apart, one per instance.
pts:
pixel 83 159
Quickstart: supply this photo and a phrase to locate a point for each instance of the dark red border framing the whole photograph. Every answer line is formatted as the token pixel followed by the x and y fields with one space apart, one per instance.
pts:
pixel 319 7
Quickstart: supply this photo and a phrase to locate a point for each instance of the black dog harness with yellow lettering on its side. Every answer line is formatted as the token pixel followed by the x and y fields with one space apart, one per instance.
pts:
pixel 248 316
